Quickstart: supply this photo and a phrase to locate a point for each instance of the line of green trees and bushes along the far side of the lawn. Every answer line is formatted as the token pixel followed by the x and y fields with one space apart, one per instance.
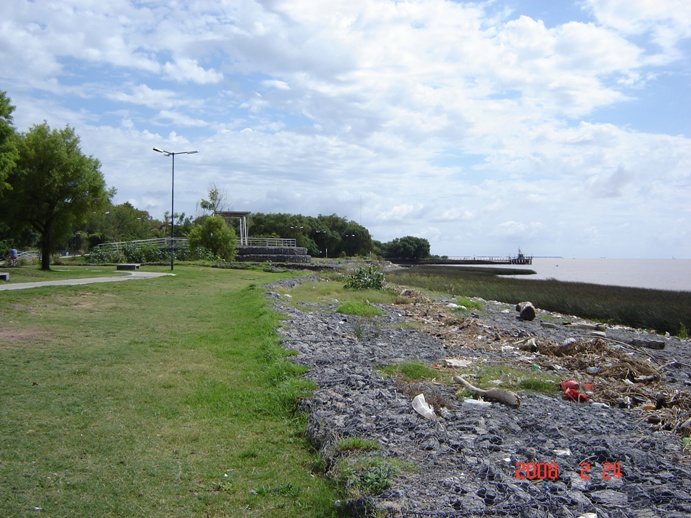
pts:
pixel 55 198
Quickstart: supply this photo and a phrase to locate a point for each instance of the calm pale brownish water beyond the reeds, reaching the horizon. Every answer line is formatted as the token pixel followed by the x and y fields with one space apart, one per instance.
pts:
pixel 660 274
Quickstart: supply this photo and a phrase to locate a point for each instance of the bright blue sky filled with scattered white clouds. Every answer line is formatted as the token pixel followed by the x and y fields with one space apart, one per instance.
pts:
pixel 560 128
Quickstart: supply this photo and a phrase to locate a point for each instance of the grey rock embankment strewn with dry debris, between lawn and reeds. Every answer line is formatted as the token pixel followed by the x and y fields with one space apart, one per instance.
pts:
pixel 475 460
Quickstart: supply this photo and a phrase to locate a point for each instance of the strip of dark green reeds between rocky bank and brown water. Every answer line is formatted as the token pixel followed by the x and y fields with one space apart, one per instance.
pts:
pixel 661 310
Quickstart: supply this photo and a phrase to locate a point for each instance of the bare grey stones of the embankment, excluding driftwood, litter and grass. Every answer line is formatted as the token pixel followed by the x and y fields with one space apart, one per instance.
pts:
pixel 466 463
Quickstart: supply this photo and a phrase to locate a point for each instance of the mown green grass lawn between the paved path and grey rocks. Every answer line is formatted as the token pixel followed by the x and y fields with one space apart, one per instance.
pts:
pixel 158 397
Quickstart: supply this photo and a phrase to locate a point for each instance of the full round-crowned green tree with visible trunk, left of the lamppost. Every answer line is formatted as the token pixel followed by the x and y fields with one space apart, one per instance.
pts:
pixel 55 187
